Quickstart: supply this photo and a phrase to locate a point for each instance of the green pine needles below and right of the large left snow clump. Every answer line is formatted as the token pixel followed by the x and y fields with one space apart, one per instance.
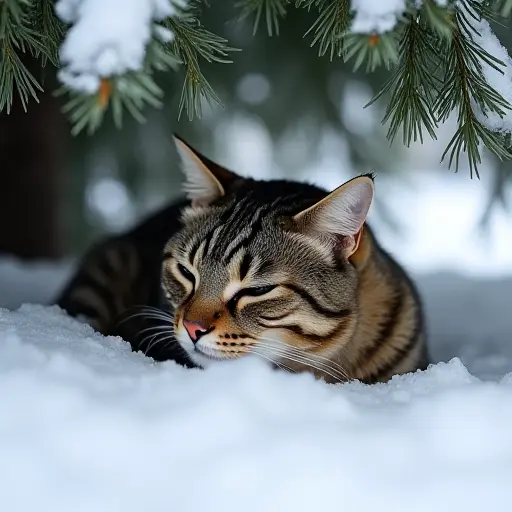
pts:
pixel 189 43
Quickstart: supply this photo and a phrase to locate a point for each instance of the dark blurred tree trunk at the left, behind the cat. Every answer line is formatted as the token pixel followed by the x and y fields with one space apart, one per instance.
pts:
pixel 30 160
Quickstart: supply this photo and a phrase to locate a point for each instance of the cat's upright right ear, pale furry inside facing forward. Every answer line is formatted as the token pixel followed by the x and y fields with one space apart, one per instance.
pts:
pixel 341 215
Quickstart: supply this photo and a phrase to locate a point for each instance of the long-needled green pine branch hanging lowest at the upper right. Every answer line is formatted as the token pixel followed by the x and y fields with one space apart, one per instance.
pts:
pixel 439 72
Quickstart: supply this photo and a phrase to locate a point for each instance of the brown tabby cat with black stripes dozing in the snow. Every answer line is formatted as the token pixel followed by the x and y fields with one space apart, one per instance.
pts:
pixel 279 269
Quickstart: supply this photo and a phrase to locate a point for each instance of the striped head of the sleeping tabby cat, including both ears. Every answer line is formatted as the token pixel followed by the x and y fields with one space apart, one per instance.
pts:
pixel 263 267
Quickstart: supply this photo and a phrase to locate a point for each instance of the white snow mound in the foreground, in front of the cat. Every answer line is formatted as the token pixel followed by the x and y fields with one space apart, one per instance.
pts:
pixel 88 425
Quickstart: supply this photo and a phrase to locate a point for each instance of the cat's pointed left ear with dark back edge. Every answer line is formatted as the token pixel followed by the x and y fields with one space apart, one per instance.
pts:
pixel 205 181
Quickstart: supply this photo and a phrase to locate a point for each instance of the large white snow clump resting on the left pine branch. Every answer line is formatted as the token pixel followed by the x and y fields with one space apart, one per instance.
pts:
pixel 107 38
